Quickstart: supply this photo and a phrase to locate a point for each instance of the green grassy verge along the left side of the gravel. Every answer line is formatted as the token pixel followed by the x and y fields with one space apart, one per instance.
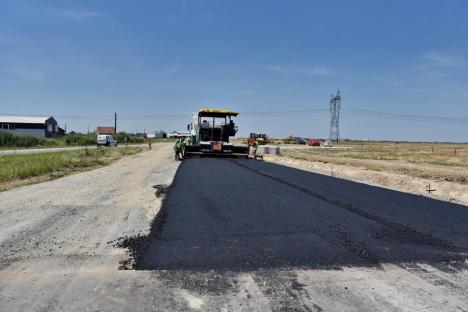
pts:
pixel 24 169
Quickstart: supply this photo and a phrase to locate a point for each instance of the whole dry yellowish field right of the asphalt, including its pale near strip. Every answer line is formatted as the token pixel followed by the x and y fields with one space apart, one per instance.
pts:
pixel 438 161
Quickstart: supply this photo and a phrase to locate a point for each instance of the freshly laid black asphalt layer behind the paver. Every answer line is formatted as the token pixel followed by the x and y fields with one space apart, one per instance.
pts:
pixel 243 215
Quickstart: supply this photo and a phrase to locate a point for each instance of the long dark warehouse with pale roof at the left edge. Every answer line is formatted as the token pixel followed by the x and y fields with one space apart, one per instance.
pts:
pixel 29 126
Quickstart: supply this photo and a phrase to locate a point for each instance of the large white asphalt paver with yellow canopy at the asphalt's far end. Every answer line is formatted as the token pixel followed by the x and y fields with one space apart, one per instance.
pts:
pixel 211 130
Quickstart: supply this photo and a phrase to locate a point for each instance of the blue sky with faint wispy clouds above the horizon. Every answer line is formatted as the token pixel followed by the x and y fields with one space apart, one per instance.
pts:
pixel 155 62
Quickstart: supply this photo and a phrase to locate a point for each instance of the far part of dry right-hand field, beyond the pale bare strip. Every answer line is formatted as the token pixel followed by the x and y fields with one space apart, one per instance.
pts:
pixel 444 154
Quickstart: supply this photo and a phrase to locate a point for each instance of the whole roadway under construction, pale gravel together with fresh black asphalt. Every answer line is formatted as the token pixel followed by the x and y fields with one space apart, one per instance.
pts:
pixel 233 235
